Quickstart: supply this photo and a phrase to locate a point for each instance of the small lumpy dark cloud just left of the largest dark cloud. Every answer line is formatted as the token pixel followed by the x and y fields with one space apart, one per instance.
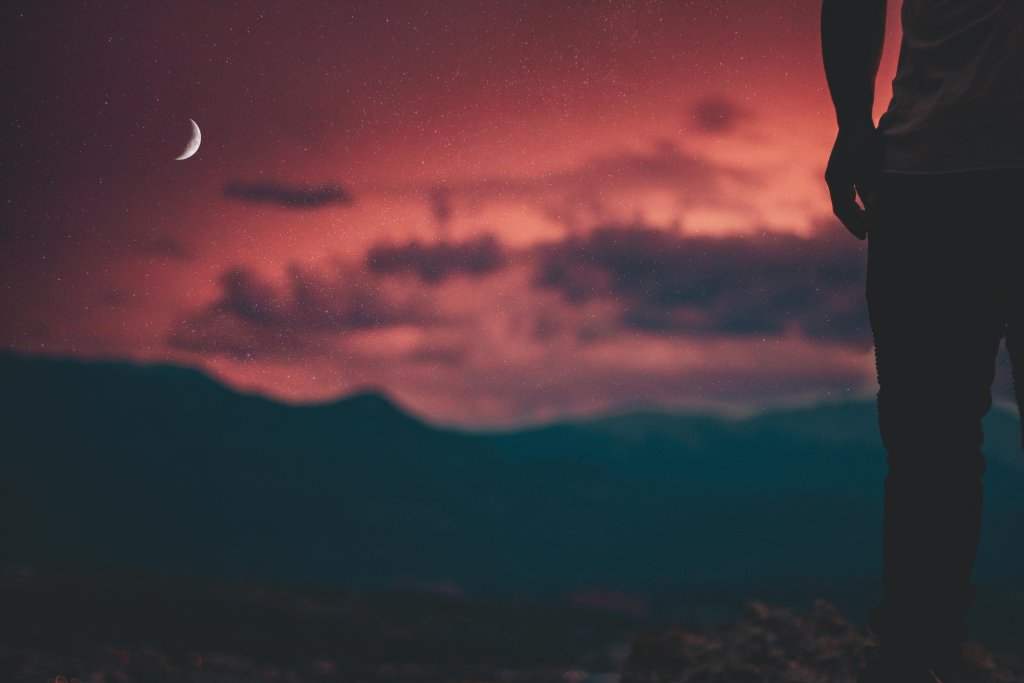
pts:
pixel 436 263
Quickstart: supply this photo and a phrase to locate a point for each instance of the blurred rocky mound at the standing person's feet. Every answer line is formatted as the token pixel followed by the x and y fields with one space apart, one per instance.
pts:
pixel 778 646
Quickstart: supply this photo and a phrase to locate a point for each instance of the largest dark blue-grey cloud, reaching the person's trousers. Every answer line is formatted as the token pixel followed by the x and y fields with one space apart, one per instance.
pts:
pixel 749 285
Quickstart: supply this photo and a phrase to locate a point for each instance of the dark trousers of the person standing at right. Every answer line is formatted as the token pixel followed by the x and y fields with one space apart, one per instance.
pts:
pixel 946 284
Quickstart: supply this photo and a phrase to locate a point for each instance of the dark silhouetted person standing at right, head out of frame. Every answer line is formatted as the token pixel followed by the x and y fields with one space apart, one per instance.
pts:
pixel 938 180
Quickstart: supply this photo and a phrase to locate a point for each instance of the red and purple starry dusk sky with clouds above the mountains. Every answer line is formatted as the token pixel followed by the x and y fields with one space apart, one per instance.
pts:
pixel 498 212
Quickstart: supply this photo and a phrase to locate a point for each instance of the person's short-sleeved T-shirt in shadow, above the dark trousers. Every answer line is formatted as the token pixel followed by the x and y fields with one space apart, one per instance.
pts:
pixel 959 93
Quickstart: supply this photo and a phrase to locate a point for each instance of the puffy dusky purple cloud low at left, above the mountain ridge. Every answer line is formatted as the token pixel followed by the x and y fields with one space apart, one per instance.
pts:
pixel 255 317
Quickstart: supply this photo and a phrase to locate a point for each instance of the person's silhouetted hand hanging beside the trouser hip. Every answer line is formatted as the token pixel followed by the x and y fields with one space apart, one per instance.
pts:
pixel 854 169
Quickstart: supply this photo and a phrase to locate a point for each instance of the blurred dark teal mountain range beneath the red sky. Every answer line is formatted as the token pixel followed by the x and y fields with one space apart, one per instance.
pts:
pixel 114 464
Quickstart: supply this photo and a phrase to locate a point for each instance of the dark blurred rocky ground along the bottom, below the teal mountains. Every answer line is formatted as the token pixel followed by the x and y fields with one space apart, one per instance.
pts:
pixel 70 629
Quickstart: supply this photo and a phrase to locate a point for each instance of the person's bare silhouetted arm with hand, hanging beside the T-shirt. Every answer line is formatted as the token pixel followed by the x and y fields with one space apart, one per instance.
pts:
pixel 852 37
